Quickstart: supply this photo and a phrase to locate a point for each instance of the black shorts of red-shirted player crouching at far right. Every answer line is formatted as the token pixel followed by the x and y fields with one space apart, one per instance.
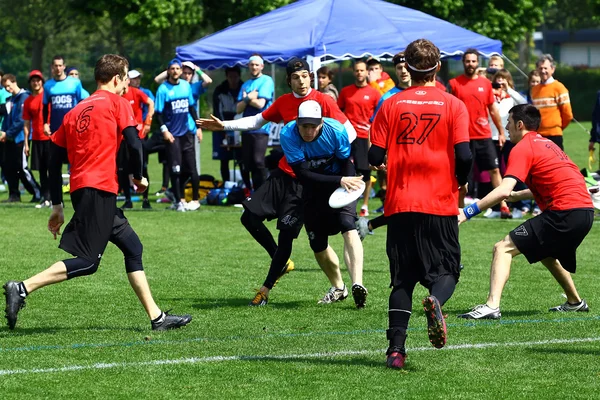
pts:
pixel 554 234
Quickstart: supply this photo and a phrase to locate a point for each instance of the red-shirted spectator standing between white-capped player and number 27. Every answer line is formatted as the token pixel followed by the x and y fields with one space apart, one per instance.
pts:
pixel 358 101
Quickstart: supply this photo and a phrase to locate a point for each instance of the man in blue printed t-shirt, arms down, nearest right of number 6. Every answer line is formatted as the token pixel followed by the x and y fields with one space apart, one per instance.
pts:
pixel 173 107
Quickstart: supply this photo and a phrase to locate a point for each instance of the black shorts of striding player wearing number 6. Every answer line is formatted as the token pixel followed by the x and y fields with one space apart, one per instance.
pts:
pixel 95 221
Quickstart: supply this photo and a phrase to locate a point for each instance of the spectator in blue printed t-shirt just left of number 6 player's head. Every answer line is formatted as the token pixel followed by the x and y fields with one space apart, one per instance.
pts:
pixel 61 95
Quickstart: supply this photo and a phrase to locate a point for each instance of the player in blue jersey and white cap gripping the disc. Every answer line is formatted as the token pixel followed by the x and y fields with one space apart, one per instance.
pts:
pixel 318 150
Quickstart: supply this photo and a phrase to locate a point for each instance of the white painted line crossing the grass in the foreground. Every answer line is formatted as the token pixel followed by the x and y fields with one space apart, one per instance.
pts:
pixel 203 360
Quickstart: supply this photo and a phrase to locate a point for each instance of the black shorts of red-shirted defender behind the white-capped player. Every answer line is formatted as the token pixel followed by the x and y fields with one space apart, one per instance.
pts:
pixel 279 197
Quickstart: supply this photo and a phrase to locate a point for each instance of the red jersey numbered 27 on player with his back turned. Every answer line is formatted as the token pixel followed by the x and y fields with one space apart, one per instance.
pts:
pixel 419 128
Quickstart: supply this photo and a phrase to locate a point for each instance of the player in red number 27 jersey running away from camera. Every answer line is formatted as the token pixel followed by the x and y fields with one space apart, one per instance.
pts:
pixel 425 134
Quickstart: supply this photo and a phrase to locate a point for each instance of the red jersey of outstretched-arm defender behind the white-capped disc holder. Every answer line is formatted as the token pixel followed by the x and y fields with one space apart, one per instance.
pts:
pixel 285 109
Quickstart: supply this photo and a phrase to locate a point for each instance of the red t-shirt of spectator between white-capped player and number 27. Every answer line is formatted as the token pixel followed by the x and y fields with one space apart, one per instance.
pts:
pixel 359 103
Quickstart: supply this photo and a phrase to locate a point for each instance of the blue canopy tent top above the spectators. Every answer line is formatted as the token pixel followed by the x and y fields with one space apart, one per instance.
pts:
pixel 333 30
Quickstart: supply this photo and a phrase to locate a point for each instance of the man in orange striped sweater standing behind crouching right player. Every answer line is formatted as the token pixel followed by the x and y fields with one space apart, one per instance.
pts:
pixel 552 99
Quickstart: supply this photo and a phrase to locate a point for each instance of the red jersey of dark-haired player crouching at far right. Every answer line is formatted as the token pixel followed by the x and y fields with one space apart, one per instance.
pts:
pixel 552 177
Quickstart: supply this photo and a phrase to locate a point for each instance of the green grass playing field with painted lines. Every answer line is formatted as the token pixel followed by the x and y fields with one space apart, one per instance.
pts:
pixel 89 338
